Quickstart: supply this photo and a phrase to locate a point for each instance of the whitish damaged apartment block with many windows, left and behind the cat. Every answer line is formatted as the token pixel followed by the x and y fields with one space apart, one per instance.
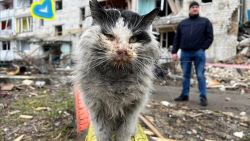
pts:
pixel 24 37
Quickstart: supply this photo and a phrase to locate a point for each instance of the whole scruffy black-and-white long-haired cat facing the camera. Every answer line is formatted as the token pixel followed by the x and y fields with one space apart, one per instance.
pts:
pixel 114 62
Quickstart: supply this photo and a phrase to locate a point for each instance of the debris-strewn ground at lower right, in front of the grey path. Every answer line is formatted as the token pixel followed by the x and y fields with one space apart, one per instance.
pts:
pixel 183 123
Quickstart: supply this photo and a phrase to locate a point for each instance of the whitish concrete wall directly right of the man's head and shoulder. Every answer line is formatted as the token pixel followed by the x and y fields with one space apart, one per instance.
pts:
pixel 220 12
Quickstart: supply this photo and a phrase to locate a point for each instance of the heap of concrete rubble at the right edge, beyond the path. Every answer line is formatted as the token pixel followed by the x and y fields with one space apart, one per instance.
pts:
pixel 236 75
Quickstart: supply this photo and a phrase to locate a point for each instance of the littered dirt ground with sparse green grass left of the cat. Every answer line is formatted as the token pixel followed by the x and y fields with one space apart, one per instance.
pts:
pixel 37 113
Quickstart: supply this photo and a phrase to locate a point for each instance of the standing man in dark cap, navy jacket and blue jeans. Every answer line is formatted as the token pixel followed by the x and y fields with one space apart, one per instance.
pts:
pixel 193 36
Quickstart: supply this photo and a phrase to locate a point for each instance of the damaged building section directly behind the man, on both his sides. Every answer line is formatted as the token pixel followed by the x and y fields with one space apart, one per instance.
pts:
pixel 224 15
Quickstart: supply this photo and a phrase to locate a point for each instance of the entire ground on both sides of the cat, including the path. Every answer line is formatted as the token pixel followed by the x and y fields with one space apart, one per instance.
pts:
pixel 47 113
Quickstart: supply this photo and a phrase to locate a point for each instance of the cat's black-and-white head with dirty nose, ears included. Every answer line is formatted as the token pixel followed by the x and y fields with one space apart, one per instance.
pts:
pixel 124 35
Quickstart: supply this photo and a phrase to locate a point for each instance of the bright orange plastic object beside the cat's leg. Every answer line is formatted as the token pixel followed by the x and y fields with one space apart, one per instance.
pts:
pixel 82 115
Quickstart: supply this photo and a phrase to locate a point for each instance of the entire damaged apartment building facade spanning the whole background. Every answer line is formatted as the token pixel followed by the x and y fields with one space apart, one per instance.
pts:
pixel 22 36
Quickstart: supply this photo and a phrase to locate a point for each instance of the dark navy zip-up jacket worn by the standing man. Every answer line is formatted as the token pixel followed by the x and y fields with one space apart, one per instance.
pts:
pixel 193 34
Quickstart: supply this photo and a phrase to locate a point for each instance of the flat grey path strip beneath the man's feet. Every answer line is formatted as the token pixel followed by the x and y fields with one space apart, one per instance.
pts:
pixel 225 101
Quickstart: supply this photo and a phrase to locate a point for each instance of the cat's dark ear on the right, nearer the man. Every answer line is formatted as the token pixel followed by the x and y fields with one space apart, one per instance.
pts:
pixel 148 19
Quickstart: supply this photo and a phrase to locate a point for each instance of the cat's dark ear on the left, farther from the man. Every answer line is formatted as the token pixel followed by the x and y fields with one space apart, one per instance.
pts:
pixel 97 11
